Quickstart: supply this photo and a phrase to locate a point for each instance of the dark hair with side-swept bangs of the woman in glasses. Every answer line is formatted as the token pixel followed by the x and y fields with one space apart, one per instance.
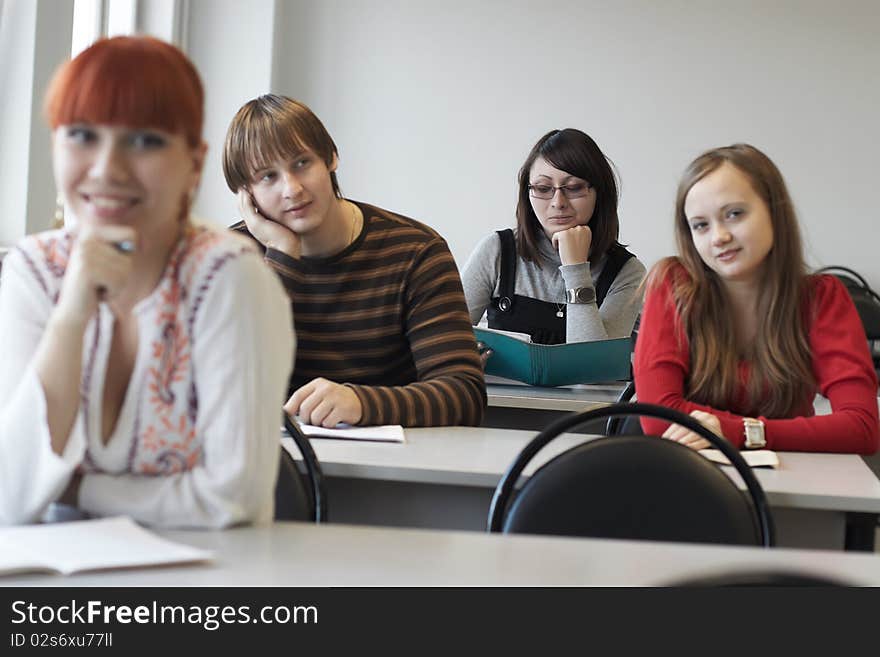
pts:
pixel 576 153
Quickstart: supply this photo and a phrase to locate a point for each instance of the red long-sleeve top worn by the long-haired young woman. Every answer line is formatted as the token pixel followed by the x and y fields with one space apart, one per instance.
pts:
pixel 842 368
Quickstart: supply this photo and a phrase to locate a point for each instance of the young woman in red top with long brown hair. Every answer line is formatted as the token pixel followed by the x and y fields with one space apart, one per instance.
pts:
pixel 737 334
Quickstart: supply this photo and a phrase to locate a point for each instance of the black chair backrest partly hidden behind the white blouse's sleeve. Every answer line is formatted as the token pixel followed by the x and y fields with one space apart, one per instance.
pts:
pixel 296 497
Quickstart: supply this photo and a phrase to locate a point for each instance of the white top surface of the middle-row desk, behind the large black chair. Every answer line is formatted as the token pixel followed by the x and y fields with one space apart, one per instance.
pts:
pixel 478 456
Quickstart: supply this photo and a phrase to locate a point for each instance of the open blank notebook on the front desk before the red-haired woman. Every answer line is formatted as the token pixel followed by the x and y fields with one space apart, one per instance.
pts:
pixel 72 547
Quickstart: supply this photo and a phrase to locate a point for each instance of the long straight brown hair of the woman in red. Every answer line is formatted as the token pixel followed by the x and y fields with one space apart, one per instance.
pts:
pixel 781 365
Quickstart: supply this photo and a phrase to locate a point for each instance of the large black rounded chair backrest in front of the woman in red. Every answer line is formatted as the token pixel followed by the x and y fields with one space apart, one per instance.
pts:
pixel 633 487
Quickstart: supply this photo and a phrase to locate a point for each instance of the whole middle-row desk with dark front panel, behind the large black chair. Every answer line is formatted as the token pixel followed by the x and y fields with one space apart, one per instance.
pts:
pixel 443 478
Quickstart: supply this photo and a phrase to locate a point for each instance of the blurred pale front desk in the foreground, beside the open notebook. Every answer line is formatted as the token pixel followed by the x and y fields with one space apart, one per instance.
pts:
pixel 298 554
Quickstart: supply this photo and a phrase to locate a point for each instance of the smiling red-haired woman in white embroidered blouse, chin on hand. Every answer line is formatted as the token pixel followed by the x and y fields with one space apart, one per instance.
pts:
pixel 145 356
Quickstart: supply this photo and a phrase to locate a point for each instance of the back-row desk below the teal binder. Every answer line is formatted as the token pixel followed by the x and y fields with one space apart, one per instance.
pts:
pixel 505 393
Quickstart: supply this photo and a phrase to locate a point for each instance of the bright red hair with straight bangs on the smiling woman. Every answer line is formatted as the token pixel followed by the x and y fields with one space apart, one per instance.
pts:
pixel 133 81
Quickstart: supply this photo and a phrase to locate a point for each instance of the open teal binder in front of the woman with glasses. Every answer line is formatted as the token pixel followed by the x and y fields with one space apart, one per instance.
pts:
pixel 557 364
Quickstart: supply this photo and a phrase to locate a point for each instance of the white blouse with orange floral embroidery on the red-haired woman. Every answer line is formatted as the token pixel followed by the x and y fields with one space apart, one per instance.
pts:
pixel 196 443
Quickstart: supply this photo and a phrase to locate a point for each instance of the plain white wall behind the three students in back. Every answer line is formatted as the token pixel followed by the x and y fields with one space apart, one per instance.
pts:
pixel 435 105
